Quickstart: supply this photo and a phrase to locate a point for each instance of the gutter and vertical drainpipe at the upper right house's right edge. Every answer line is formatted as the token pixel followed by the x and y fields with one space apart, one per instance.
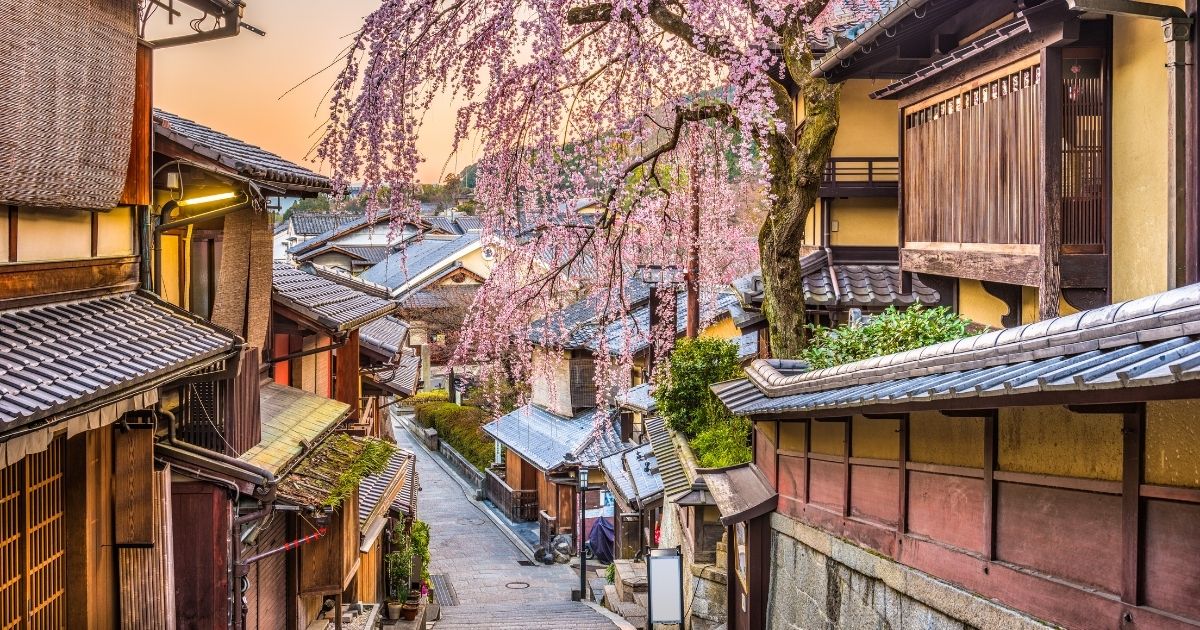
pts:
pixel 1177 32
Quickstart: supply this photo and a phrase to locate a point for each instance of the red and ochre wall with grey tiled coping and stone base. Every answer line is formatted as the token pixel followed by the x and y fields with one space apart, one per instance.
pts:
pixel 943 481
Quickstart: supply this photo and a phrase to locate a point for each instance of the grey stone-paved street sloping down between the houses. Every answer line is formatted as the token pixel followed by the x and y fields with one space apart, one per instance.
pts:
pixel 484 567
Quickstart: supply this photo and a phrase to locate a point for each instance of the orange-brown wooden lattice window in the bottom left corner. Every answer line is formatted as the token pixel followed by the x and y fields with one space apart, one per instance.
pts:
pixel 33 547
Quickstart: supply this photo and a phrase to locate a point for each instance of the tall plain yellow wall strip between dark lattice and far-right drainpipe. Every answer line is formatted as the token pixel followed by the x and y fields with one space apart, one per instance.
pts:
pixel 1139 158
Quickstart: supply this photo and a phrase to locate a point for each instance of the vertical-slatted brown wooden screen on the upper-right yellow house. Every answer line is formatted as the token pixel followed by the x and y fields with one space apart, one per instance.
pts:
pixel 974 161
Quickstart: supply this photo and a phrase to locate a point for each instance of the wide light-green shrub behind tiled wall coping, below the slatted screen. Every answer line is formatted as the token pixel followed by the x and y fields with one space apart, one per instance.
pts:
pixel 887 333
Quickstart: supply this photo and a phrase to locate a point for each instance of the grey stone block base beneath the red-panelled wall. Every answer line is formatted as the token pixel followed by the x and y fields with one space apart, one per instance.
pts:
pixel 819 581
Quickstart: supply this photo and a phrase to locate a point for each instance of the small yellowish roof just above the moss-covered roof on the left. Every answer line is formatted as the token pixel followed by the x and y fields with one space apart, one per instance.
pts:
pixel 292 421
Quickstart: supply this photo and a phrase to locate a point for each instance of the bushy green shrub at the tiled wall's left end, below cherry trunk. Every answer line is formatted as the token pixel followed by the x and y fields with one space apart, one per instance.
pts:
pixel 689 407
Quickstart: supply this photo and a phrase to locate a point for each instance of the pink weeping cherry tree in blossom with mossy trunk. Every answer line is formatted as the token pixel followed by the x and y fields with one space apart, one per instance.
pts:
pixel 651 110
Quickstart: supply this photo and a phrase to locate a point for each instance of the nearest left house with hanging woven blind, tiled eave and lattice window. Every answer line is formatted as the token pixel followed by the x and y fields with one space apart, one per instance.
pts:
pixel 89 352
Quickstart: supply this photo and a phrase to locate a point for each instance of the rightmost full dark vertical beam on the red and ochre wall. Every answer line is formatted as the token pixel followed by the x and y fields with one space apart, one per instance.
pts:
pixel 1131 505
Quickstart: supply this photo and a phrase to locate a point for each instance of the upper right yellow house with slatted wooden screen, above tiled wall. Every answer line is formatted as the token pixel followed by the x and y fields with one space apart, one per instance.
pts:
pixel 1043 160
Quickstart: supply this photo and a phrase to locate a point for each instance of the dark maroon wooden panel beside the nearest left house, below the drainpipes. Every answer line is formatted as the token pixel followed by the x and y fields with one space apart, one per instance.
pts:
pixel 201 529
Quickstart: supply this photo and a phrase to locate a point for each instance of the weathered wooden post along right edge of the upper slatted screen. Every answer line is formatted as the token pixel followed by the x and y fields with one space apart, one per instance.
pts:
pixel 1051 217
